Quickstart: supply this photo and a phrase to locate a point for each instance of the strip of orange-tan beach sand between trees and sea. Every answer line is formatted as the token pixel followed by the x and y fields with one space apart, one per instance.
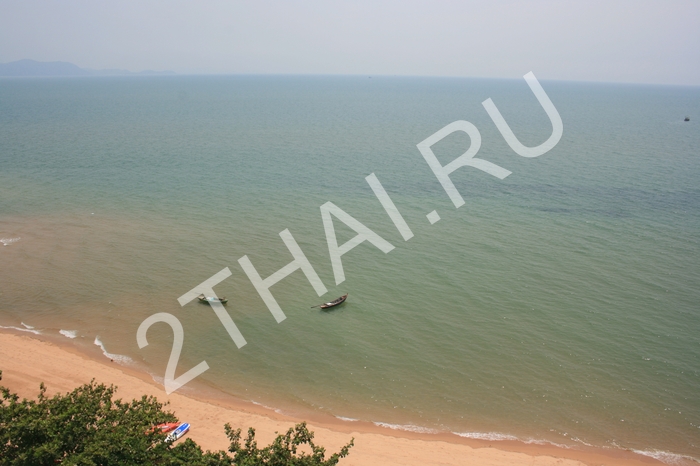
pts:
pixel 27 361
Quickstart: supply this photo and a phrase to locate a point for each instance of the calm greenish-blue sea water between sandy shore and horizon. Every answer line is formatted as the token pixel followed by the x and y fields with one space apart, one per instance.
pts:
pixel 560 304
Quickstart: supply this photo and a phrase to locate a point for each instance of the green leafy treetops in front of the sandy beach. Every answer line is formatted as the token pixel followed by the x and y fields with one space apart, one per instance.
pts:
pixel 88 427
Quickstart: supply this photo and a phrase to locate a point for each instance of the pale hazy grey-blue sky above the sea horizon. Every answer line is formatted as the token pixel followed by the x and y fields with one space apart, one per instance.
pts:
pixel 636 41
